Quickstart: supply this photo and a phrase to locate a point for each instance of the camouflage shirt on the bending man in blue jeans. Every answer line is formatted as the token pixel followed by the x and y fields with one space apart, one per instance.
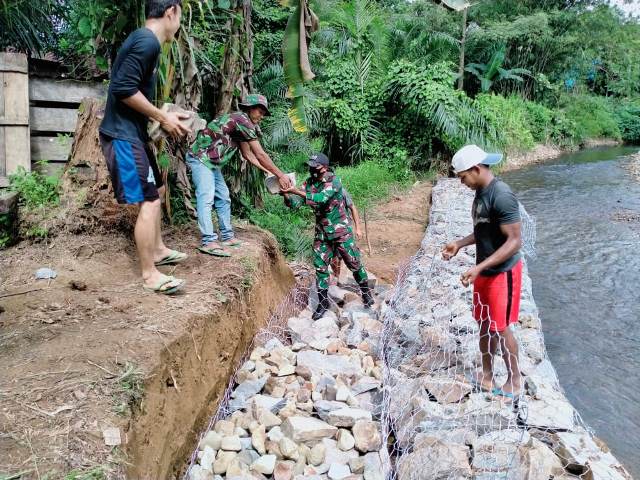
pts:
pixel 216 144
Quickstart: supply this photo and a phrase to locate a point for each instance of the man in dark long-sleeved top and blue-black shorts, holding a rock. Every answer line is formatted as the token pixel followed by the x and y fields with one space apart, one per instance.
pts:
pixel 123 134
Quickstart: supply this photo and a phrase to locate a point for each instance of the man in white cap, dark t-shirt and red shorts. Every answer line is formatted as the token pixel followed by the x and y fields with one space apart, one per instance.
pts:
pixel 497 275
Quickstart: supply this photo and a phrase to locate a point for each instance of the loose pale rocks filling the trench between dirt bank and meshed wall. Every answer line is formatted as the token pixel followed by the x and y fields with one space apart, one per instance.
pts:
pixel 308 407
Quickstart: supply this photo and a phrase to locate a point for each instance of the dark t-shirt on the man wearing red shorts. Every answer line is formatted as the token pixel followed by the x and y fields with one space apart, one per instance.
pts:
pixel 493 206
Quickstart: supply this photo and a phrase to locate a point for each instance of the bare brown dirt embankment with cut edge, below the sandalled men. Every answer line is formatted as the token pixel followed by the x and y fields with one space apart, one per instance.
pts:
pixel 91 351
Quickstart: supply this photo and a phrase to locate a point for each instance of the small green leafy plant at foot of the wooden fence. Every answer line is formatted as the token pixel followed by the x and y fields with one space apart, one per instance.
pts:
pixel 35 188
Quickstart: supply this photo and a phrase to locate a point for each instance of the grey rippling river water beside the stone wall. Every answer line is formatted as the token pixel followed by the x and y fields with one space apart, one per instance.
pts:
pixel 586 283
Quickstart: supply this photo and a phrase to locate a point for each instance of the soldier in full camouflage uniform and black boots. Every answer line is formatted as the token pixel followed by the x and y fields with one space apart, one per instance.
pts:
pixel 333 233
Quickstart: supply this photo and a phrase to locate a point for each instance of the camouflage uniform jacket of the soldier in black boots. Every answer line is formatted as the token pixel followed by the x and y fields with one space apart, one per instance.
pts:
pixel 326 197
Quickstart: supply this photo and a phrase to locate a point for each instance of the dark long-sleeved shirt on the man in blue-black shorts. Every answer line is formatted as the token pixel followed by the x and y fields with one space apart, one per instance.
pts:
pixel 134 70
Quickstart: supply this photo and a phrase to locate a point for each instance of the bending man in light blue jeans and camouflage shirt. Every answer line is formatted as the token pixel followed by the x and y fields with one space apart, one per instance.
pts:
pixel 221 141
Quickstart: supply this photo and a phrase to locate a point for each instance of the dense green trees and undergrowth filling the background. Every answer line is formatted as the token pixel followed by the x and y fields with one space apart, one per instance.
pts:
pixel 386 104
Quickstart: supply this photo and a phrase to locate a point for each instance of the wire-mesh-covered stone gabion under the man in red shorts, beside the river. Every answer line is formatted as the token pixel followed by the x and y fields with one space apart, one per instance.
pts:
pixel 445 428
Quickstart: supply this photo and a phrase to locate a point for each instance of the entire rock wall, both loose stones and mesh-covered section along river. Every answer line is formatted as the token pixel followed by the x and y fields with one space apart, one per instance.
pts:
pixel 386 393
